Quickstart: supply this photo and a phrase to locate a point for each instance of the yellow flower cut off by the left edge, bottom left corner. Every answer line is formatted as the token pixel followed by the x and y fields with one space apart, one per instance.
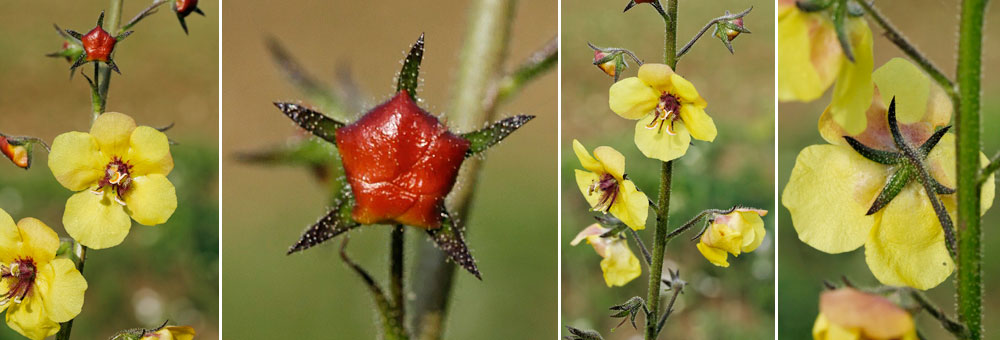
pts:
pixel 38 290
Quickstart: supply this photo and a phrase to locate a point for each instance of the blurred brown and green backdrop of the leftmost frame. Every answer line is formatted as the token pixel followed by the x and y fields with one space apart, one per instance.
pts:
pixel 164 272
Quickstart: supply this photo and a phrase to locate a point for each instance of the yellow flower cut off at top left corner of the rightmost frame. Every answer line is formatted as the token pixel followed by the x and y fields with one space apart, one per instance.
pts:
pixel 810 59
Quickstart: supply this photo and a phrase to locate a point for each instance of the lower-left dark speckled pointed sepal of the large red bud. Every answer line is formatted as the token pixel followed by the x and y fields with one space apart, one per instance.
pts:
pixel 336 222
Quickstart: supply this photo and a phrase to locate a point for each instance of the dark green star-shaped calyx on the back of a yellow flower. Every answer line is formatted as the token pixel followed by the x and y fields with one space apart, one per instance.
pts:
pixel 906 166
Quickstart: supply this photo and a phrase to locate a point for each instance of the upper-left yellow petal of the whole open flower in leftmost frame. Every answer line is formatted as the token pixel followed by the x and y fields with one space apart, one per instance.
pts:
pixel 75 160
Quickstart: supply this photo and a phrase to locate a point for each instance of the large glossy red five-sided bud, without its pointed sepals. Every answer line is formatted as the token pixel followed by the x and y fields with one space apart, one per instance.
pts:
pixel 401 162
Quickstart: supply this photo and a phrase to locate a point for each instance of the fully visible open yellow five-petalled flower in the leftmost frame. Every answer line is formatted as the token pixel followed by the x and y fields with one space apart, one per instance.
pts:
pixel 119 170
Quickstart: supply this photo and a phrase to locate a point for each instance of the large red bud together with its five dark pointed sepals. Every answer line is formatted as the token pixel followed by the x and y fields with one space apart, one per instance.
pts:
pixel 399 164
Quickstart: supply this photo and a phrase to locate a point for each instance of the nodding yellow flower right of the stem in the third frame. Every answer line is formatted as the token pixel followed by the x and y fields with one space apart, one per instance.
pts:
pixel 740 231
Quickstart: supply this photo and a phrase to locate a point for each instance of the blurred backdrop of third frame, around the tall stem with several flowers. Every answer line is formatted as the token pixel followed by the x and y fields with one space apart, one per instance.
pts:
pixel 738 168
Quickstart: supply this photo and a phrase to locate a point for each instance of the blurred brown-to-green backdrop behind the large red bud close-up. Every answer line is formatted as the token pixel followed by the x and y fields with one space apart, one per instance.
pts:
pixel 313 295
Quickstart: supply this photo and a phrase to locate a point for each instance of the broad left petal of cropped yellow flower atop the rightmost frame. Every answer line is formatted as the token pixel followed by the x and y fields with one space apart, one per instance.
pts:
pixel 798 79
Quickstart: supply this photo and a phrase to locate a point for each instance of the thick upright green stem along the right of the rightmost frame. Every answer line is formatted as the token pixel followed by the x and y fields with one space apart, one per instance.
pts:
pixel 967 129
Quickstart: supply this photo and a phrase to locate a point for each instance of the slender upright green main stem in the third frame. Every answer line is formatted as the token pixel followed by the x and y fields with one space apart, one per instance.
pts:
pixel 663 202
